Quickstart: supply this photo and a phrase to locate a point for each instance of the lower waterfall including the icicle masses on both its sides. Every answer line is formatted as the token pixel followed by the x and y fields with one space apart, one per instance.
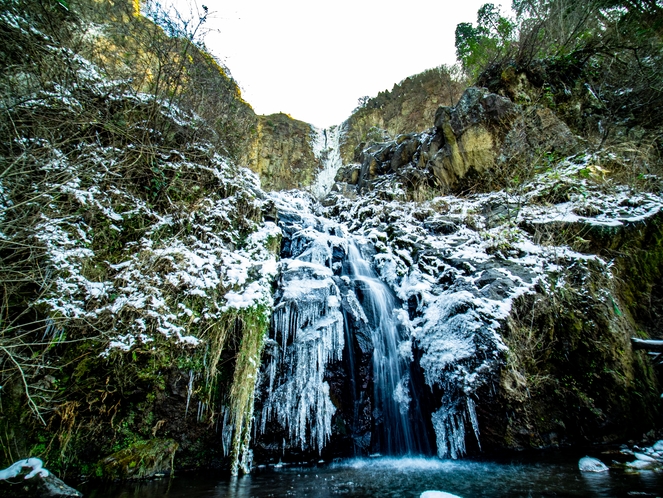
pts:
pixel 347 366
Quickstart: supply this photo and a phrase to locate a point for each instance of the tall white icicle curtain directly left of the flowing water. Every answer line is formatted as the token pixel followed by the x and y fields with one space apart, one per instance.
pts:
pixel 307 334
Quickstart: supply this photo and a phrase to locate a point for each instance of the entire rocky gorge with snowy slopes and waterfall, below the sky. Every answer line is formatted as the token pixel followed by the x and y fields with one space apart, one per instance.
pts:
pixel 456 272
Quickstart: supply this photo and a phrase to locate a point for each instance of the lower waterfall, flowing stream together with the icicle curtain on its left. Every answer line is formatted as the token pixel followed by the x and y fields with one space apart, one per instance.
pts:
pixel 324 278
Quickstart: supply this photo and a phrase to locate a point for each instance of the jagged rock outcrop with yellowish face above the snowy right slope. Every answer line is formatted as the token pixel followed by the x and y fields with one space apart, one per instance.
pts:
pixel 474 144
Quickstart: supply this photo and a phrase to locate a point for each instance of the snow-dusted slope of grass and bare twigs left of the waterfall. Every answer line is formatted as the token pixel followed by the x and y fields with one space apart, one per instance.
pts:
pixel 133 247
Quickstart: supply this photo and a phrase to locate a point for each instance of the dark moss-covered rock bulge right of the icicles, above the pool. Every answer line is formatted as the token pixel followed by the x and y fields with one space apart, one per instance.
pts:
pixel 569 347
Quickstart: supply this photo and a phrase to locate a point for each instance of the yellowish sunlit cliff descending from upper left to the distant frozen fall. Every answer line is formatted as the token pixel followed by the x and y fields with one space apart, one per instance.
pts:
pixel 125 45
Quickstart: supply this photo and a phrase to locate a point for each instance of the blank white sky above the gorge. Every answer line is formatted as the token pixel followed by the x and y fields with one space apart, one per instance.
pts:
pixel 313 60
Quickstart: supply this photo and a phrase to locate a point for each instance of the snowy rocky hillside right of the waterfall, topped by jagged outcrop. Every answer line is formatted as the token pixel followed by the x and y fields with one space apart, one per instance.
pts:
pixel 566 336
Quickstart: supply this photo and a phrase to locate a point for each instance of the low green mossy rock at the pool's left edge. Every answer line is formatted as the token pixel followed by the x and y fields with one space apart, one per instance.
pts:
pixel 139 461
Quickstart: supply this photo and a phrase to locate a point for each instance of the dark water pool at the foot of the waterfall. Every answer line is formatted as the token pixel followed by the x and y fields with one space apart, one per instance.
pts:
pixel 539 476
